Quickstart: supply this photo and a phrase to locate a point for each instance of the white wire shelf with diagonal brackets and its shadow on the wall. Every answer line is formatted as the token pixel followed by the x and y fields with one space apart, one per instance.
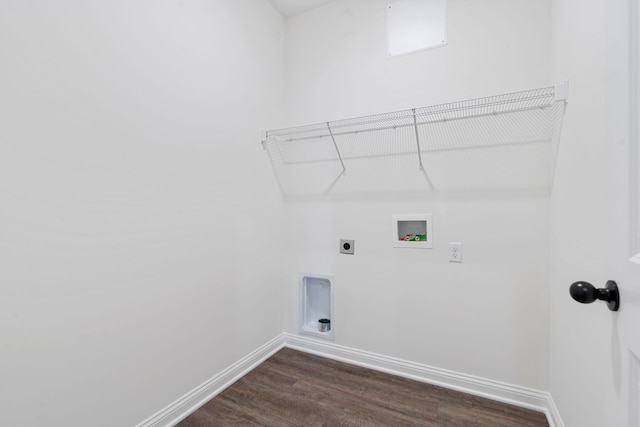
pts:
pixel 504 143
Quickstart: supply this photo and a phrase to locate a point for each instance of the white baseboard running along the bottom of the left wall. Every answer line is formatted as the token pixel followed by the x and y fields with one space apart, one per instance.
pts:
pixel 187 404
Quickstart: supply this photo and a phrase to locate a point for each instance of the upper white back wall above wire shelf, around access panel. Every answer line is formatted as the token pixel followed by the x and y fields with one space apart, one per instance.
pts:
pixel 338 67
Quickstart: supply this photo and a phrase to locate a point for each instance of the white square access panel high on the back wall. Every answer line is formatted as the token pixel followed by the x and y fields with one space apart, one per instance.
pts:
pixel 415 25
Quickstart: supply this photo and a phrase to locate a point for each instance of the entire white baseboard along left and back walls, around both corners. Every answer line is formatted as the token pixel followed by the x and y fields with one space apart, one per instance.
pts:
pixel 503 392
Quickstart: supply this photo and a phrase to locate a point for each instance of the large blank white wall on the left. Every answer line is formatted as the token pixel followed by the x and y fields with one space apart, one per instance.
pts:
pixel 139 222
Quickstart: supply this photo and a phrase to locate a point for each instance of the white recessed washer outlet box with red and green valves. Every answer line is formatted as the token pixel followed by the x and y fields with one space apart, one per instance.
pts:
pixel 412 231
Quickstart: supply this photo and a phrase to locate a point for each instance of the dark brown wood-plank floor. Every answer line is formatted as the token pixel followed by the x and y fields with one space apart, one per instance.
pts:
pixel 298 389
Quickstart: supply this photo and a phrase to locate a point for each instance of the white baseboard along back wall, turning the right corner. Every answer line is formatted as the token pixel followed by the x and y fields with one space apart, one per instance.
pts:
pixel 503 392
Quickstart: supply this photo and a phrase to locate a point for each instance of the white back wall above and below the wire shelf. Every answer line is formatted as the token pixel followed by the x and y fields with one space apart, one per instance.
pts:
pixel 487 316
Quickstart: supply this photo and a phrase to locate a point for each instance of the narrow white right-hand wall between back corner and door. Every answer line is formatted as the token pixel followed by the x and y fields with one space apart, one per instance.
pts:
pixel 578 48
